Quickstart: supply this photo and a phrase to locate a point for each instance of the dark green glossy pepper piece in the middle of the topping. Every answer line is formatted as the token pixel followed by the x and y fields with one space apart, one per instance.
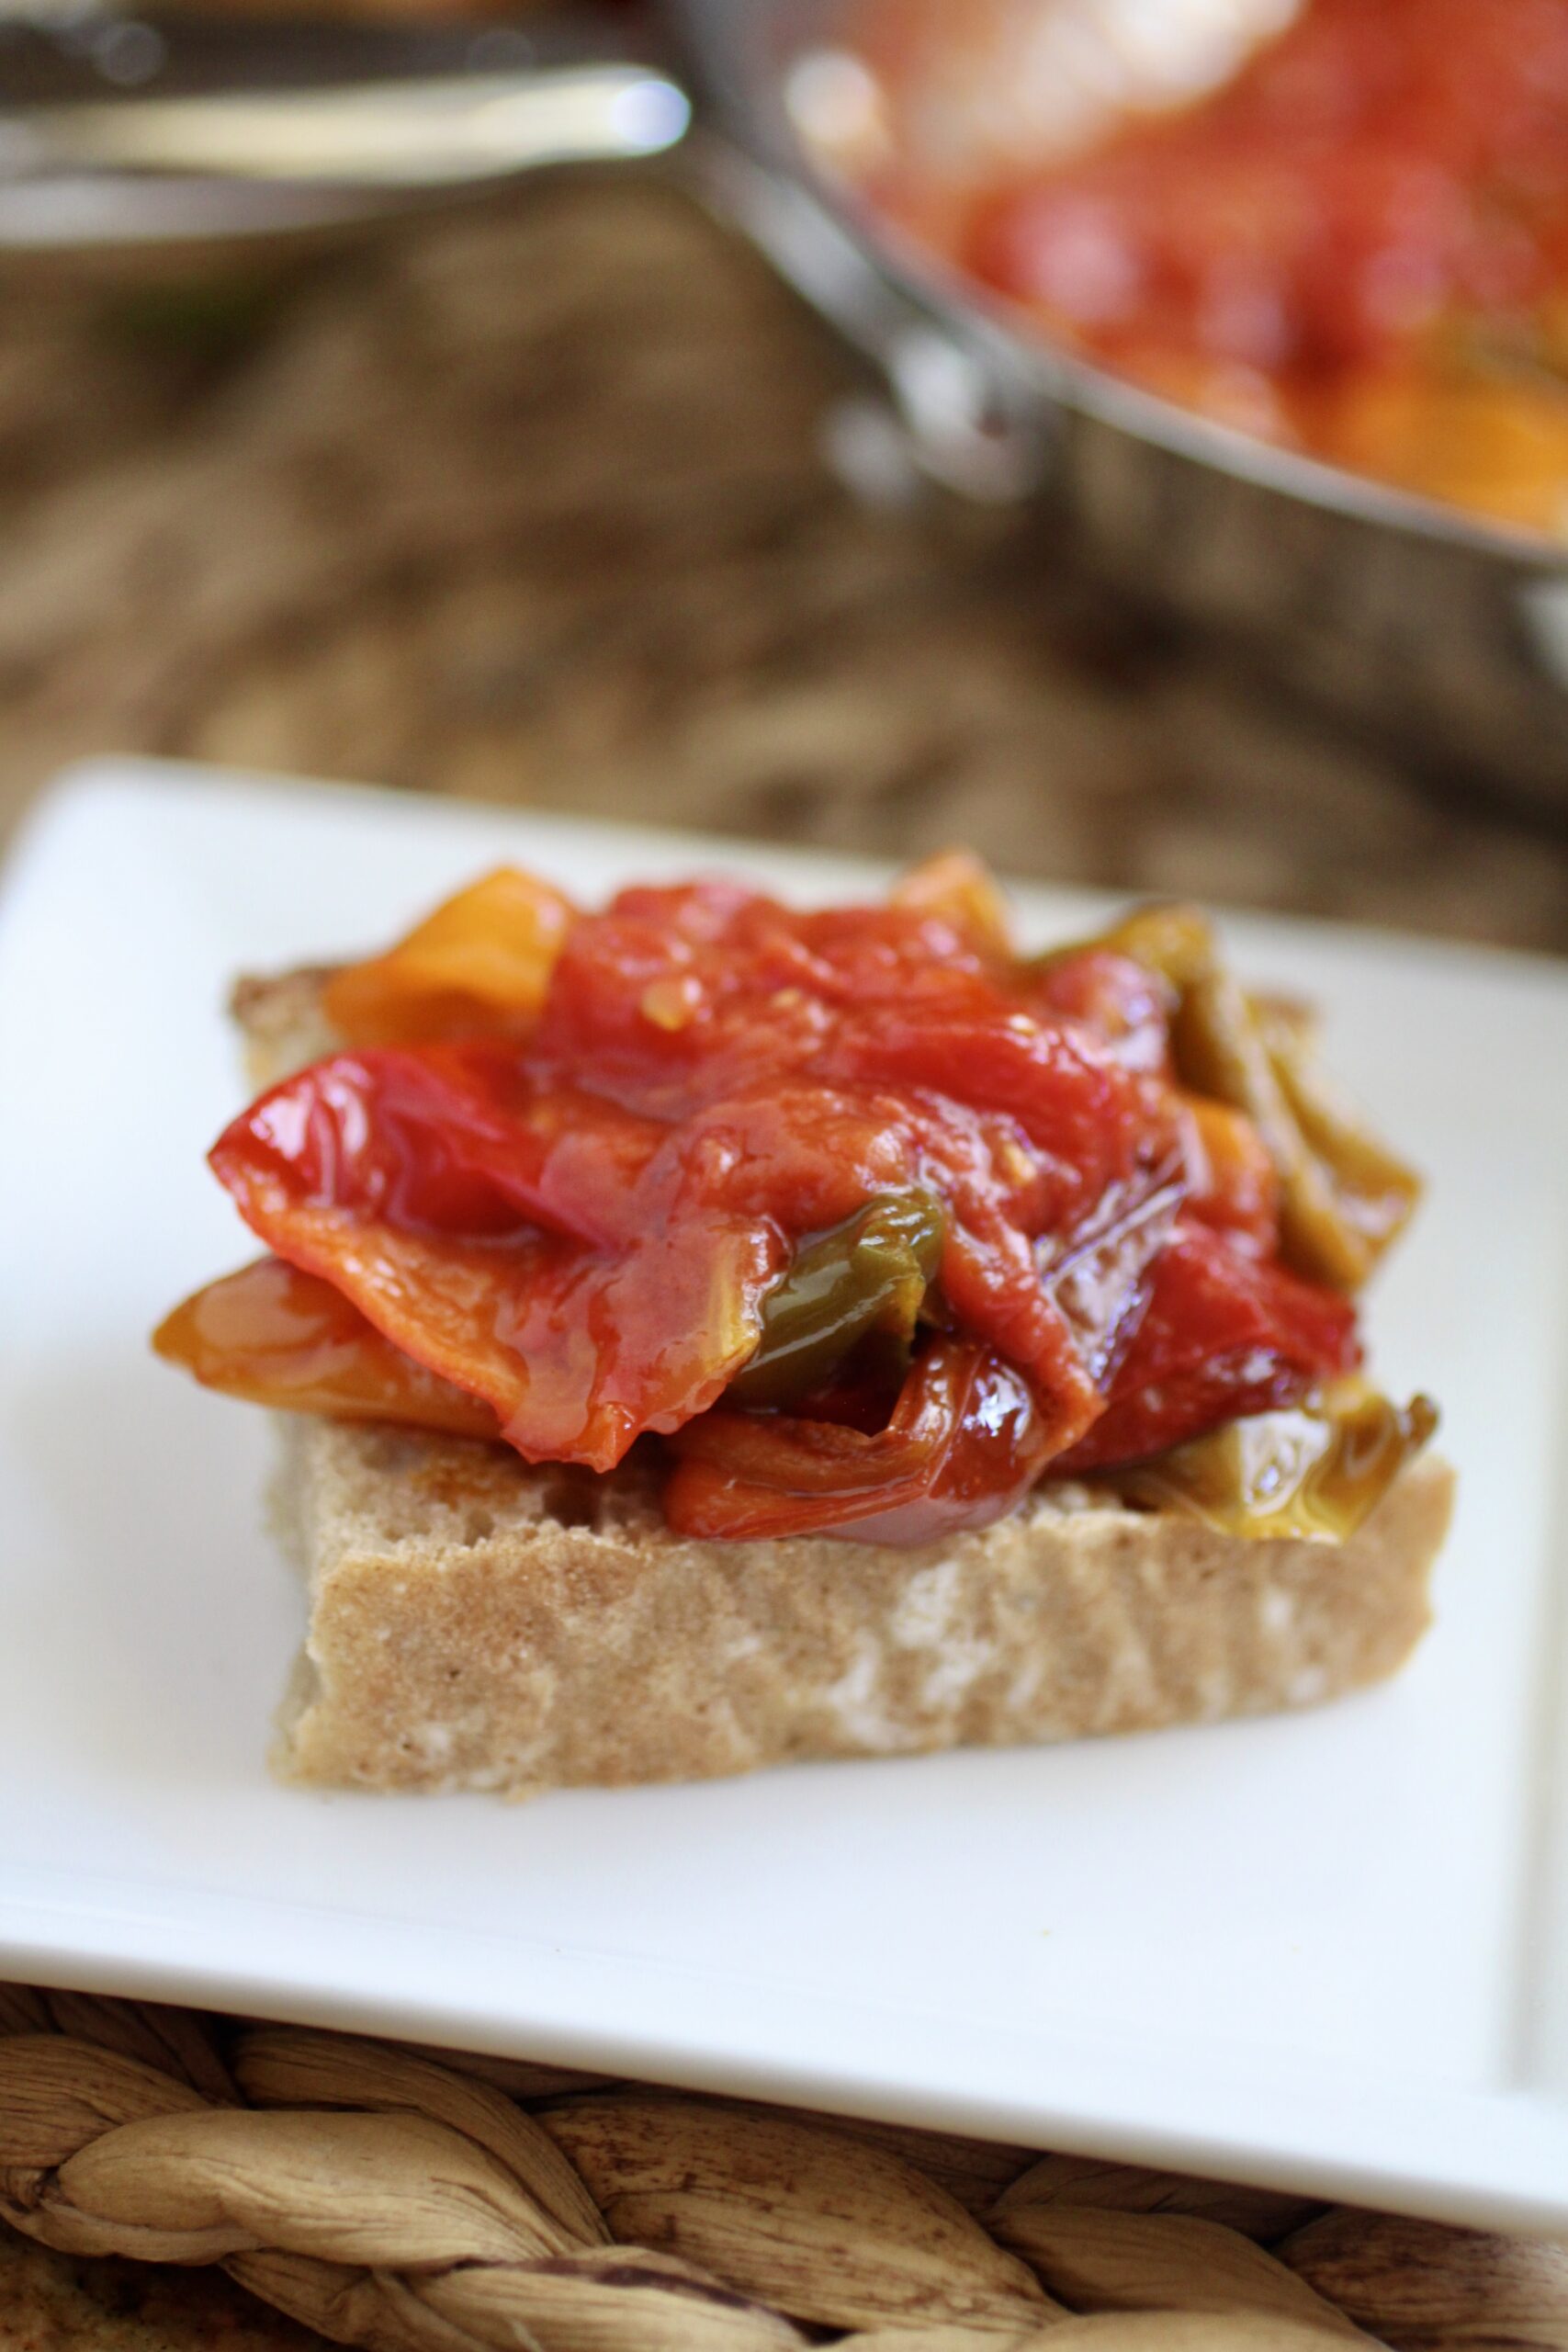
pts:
pixel 866 1276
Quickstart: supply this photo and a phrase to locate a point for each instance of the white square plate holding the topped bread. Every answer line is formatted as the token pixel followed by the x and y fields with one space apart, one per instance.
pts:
pixel 1327 1951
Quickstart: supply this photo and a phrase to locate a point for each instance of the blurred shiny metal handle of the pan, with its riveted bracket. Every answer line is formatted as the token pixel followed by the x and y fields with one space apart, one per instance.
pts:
pixel 384 116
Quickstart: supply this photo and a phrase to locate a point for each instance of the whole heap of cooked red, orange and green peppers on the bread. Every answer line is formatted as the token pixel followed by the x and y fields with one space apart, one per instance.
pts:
pixel 866 1215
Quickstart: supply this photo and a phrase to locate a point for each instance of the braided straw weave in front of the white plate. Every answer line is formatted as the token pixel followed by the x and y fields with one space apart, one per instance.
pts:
pixel 417 2203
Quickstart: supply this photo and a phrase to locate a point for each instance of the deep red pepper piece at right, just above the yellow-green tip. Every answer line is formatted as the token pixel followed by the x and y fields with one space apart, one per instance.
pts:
pixel 1224 1335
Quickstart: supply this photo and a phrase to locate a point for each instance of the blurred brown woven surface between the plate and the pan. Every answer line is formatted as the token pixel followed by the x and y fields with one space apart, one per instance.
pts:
pixel 530 502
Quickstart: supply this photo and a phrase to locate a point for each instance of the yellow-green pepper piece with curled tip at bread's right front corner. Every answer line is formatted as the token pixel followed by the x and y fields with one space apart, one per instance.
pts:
pixel 1313 1474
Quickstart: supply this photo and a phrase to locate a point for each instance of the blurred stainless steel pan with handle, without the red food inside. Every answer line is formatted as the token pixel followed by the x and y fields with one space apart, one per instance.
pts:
pixel 1423 624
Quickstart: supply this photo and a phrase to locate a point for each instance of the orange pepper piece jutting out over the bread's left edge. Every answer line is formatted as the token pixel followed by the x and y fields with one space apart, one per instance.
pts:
pixel 288 1339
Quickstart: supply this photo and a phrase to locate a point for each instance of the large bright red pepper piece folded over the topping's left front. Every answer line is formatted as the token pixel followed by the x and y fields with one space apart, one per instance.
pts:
pixel 403 1182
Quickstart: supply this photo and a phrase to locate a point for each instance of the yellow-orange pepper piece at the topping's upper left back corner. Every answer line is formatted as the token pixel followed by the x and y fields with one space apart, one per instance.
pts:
pixel 478 965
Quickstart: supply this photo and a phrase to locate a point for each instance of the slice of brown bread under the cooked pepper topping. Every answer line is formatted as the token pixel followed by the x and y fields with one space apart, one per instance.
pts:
pixel 478 1624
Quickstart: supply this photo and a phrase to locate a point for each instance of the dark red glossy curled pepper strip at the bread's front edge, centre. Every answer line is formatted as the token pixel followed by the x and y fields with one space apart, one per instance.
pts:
pixel 965 1445
